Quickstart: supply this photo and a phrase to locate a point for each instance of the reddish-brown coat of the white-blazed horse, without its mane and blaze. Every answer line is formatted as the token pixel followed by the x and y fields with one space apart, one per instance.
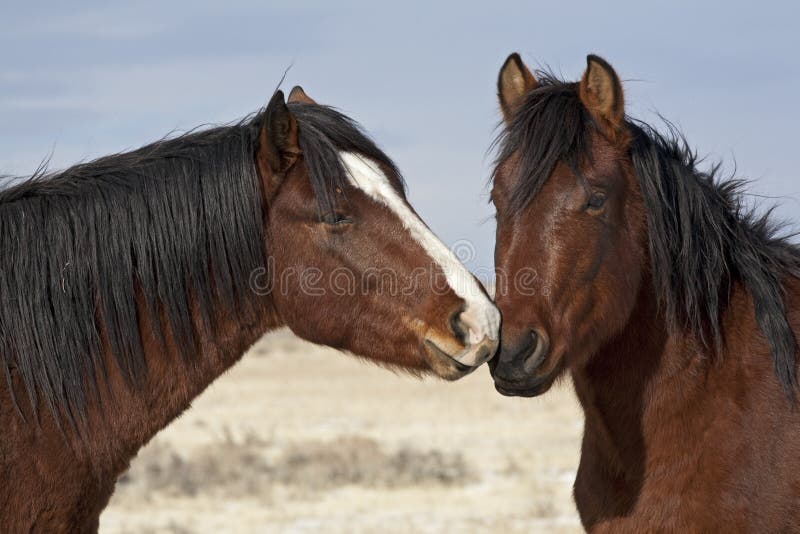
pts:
pixel 60 482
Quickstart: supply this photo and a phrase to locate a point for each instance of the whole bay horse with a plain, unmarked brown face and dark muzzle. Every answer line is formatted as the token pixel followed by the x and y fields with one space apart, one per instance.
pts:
pixel 672 305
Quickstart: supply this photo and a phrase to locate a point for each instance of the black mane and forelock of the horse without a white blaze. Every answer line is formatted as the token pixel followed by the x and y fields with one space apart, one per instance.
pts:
pixel 702 235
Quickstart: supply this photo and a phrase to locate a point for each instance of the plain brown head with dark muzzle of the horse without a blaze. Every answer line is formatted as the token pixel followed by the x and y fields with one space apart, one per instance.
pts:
pixel 571 236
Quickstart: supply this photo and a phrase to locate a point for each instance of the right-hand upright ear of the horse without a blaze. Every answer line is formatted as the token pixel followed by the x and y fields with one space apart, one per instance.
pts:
pixel 601 94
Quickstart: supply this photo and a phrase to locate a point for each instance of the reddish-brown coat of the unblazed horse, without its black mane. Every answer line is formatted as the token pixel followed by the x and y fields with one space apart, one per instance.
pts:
pixel 678 437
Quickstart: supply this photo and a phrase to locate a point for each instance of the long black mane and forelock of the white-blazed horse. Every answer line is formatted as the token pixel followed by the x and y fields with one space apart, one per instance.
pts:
pixel 176 221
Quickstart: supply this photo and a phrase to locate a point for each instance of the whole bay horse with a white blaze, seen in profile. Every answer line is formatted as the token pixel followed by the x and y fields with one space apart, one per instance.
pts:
pixel 131 282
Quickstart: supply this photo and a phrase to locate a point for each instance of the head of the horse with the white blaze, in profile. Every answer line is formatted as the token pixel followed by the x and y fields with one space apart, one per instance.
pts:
pixel 352 265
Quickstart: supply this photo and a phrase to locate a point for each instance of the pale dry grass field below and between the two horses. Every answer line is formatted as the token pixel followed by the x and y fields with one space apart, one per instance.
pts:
pixel 298 438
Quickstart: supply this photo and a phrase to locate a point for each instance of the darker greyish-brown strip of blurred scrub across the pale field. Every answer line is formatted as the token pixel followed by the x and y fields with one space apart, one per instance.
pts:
pixel 244 469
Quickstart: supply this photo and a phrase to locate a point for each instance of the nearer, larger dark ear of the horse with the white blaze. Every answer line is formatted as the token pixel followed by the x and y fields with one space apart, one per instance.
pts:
pixel 278 146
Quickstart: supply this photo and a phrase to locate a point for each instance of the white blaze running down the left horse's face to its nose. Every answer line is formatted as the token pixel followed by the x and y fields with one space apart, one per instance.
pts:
pixel 480 315
